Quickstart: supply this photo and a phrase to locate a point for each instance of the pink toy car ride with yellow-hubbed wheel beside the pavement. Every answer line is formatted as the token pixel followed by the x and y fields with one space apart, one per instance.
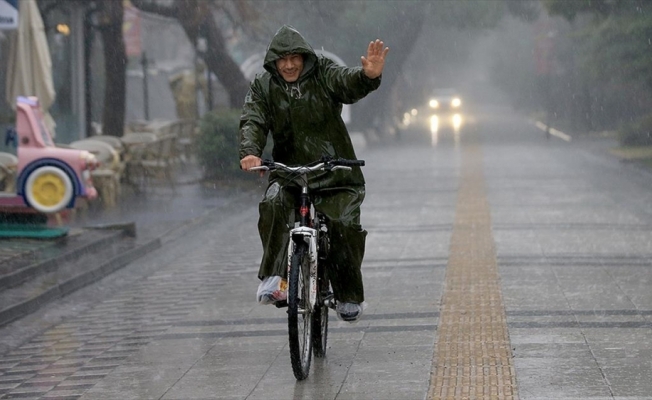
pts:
pixel 48 178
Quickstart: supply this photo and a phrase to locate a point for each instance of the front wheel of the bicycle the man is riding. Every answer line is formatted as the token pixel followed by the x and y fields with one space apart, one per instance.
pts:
pixel 299 312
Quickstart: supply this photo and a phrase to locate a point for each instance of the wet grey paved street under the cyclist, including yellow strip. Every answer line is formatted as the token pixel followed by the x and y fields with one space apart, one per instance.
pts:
pixel 567 244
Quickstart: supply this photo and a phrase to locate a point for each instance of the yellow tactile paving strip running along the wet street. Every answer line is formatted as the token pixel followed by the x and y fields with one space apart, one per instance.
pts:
pixel 473 358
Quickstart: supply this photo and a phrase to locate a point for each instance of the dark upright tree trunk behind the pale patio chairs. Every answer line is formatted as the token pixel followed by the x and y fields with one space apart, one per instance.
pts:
pixel 115 64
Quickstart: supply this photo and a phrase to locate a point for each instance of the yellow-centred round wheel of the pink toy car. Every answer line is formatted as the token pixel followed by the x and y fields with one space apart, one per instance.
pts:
pixel 48 189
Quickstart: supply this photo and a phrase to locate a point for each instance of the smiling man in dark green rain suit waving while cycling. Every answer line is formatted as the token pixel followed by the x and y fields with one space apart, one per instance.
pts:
pixel 299 100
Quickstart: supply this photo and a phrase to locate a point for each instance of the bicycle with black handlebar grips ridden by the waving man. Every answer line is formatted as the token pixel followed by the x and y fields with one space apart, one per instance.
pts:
pixel 309 294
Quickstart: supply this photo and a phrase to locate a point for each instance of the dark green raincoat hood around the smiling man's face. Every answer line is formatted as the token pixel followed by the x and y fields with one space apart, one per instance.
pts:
pixel 288 40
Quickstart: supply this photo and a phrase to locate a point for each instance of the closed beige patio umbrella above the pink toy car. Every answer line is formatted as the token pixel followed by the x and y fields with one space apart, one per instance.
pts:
pixel 29 72
